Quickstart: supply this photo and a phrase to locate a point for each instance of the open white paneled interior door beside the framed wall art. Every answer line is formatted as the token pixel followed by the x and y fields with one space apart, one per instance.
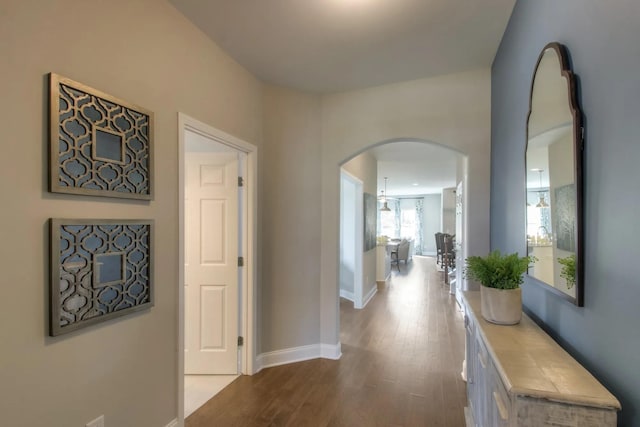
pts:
pixel 211 263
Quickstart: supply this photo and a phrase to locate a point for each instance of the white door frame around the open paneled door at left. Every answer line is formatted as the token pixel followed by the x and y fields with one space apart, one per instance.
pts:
pixel 247 325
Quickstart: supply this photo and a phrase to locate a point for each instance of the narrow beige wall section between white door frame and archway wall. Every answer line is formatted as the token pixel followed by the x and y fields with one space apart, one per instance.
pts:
pixel 291 220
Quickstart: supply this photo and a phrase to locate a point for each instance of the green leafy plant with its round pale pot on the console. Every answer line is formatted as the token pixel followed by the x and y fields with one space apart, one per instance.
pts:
pixel 500 276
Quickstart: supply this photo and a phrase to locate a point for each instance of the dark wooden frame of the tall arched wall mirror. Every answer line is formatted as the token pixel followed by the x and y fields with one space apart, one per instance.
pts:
pixel 578 150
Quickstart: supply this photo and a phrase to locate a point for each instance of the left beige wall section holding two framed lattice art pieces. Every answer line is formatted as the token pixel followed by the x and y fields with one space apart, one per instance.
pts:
pixel 146 53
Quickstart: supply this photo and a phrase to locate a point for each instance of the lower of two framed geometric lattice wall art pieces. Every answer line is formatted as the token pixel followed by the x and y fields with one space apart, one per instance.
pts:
pixel 100 269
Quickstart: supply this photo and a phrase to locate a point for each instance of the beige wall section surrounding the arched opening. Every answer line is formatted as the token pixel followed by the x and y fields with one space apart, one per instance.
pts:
pixel 452 110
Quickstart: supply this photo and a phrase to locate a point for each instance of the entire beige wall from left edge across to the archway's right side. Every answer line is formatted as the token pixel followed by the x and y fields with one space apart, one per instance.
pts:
pixel 146 53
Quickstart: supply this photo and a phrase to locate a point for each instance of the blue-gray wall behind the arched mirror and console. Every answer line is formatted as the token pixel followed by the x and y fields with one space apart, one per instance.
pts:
pixel 603 39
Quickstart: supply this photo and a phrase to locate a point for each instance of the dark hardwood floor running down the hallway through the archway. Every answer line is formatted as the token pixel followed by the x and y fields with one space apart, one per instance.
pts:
pixel 400 366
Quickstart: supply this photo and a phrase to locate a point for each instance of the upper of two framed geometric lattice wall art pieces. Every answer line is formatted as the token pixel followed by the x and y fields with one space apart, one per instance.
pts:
pixel 99 145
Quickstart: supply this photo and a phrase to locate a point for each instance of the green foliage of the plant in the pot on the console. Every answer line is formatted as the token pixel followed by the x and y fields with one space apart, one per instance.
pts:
pixel 497 270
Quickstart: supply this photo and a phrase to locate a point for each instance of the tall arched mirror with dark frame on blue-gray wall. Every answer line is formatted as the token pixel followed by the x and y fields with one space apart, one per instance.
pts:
pixel 554 177
